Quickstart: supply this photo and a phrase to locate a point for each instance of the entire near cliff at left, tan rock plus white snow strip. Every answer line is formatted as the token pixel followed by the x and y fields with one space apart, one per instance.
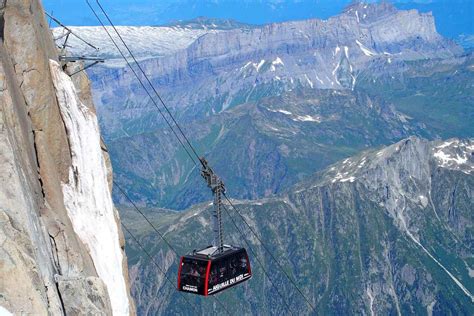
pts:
pixel 60 239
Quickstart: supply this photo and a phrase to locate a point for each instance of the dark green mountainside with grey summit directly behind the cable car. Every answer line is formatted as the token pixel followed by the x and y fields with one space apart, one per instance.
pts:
pixel 388 231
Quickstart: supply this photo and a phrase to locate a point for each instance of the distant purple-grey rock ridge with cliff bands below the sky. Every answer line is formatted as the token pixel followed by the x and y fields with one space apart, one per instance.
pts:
pixel 316 54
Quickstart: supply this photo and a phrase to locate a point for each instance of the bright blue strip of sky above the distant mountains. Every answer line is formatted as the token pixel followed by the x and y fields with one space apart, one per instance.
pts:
pixel 453 17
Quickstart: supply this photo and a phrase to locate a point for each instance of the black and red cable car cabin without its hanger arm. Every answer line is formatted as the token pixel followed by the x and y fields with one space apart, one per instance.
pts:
pixel 206 272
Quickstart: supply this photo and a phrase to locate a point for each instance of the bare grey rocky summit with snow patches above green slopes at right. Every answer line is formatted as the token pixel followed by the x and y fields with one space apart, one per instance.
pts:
pixel 399 176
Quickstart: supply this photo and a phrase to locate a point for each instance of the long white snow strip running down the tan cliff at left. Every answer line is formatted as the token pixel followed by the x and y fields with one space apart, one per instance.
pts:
pixel 87 196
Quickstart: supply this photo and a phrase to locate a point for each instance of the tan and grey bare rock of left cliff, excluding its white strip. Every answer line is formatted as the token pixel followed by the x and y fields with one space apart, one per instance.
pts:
pixel 45 267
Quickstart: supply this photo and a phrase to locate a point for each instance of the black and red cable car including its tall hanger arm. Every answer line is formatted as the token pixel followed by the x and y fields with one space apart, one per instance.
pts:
pixel 215 268
